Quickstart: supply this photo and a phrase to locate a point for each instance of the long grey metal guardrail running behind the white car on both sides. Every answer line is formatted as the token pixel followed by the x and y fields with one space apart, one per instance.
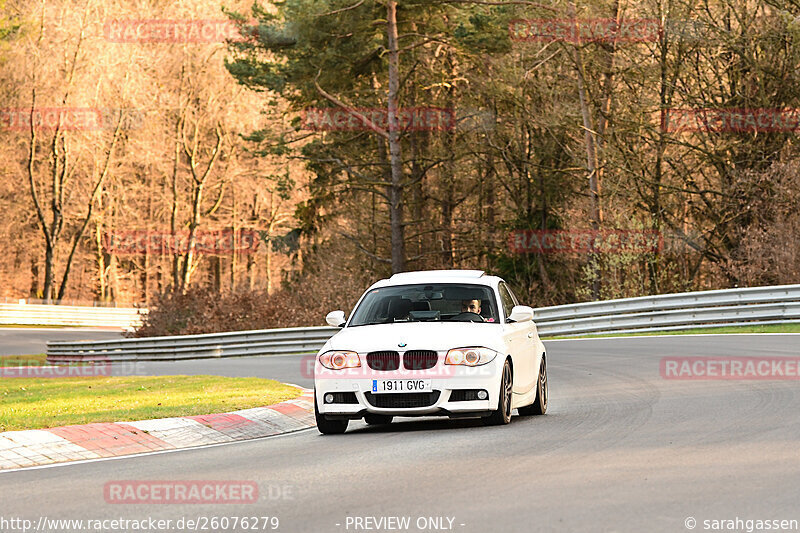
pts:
pixel 730 307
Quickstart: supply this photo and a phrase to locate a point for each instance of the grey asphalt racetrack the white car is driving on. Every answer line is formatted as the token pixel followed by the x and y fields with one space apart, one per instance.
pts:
pixel 621 449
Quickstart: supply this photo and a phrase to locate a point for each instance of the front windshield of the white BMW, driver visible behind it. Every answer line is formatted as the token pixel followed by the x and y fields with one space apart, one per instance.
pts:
pixel 427 303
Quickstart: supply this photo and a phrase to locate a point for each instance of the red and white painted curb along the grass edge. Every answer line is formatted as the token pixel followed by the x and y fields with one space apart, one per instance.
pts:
pixel 93 441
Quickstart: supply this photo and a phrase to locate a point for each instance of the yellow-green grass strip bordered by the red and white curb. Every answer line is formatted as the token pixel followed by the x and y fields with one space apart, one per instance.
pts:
pixel 42 403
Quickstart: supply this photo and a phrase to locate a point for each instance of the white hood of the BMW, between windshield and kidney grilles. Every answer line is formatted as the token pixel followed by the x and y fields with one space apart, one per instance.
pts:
pixel 439 336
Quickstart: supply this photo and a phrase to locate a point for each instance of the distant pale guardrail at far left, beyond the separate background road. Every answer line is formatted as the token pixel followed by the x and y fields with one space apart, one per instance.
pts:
pixel 66 315
